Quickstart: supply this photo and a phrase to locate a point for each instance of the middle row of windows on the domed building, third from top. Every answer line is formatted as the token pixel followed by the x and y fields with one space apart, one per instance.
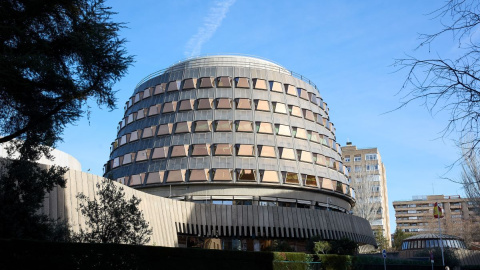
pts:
pixel 226 126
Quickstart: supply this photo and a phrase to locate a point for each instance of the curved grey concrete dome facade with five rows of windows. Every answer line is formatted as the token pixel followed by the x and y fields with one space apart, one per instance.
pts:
pixel 232 130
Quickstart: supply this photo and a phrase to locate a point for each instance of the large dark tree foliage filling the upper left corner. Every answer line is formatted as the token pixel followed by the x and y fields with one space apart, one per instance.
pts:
pixel 55 55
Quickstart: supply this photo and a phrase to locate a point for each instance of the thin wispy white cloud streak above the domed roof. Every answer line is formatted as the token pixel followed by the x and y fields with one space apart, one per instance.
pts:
pixel 211 22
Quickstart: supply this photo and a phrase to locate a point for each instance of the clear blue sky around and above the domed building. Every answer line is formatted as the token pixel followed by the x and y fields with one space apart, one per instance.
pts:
pixel 346 48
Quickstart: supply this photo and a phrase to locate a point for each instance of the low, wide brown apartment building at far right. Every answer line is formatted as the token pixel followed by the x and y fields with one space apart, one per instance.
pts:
pixel 416 216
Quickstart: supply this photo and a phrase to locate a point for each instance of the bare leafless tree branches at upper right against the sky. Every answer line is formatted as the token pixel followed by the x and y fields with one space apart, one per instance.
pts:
pixel 451 85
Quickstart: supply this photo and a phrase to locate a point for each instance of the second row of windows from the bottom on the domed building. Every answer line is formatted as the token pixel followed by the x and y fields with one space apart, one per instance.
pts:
pixel 241 150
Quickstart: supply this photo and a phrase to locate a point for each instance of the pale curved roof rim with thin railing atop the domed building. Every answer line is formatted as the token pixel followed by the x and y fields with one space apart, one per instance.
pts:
pixel 178 66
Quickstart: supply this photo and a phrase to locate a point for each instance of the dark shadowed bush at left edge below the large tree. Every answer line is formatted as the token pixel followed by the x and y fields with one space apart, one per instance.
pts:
pixel 23 185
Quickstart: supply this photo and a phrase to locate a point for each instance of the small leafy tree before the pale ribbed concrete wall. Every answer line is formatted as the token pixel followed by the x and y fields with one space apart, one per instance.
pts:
pixel 110 218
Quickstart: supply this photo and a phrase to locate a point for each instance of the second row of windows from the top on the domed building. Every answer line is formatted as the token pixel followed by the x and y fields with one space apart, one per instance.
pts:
pixel 225 103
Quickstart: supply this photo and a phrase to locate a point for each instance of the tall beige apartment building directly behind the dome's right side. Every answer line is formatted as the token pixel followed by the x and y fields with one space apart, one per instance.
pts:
pixel 368 178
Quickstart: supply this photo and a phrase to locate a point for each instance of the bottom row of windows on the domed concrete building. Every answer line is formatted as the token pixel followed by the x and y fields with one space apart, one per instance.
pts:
pixel 247 175
